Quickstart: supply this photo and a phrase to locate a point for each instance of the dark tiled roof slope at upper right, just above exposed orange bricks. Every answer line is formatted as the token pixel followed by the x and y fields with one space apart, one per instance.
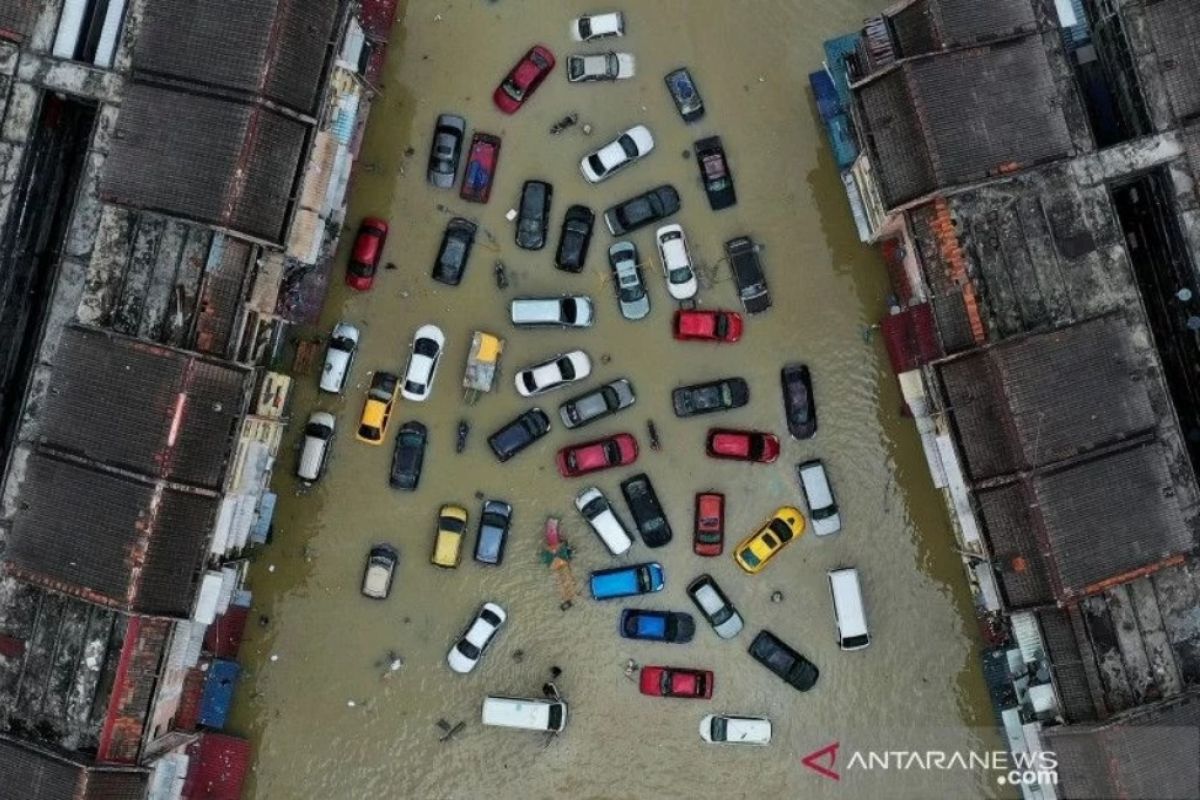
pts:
pixel 961 117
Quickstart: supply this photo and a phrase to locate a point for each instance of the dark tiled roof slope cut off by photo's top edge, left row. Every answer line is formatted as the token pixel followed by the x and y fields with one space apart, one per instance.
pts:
pixel 271 49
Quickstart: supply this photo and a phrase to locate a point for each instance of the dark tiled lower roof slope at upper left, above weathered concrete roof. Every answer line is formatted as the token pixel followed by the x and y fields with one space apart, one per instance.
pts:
pixel 227 164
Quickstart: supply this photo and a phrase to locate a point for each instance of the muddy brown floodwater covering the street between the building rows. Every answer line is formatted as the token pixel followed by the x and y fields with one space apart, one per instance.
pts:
pixel 920 677
